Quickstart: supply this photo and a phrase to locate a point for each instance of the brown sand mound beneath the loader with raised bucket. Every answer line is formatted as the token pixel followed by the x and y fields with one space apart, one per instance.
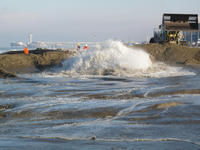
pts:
pixel 172 53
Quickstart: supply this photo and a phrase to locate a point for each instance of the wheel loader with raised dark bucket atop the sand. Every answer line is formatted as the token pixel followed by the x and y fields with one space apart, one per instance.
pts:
pixel 172 27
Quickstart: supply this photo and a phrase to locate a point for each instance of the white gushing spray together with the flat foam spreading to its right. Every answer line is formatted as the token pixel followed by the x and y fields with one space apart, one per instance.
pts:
pixel 118 60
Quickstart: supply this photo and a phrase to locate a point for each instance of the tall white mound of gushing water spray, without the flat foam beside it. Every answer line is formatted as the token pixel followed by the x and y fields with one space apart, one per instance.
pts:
pixel 114 59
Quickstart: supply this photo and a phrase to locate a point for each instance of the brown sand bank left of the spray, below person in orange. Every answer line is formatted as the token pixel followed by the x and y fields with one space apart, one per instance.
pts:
pixel 35 61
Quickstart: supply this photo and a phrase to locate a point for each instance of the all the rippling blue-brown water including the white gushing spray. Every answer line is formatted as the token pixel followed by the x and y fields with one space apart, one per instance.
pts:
pixel 102 98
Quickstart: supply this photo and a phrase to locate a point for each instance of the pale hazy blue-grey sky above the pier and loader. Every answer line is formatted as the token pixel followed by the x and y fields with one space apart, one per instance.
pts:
pixel 80 20
